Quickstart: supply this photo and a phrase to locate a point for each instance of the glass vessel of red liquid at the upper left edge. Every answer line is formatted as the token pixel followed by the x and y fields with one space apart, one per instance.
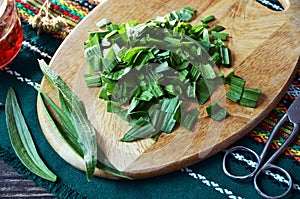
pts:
pixel 11 34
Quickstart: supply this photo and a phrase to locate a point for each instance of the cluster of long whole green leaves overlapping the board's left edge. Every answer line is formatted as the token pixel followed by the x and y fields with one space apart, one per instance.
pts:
pixel 74 126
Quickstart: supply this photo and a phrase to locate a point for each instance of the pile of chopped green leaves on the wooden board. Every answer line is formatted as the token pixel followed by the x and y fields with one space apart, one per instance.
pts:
pixel 151 73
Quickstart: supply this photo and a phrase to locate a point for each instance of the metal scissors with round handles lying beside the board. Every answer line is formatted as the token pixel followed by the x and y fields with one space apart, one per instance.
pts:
pixel 264 164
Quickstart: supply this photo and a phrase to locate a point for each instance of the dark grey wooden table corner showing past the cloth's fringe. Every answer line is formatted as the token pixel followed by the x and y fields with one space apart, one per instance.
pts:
pixel 15 185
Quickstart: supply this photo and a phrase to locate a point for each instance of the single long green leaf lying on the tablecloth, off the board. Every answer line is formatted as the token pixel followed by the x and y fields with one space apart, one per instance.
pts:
pixel 21 139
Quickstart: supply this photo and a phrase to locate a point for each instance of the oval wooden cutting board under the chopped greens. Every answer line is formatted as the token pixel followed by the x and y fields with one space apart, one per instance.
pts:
pixel 265 45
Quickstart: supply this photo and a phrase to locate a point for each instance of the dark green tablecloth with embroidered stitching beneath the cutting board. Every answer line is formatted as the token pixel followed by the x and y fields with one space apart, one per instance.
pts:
pixel 203 180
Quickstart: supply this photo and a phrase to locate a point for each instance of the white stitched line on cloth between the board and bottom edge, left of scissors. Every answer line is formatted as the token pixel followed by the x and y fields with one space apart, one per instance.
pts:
pixel 209 183
